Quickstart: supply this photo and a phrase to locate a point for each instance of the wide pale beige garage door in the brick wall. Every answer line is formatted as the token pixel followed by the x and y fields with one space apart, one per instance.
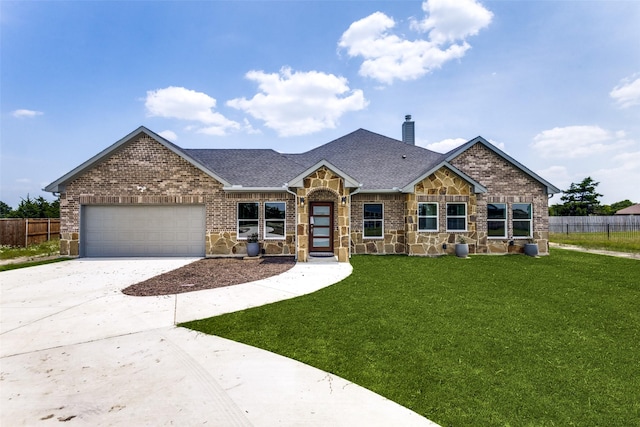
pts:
pixel 132 231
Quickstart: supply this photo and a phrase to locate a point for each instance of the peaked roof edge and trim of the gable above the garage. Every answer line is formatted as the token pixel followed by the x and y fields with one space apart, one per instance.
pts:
pixel 59 184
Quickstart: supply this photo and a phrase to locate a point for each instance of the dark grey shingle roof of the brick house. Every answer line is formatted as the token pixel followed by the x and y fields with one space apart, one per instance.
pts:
pixel 375 161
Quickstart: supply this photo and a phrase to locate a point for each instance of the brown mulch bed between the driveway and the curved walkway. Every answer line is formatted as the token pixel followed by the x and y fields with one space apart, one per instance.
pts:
pixel 211 273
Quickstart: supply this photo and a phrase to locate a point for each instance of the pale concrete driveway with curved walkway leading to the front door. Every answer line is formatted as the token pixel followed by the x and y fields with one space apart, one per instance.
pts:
pixel 75 349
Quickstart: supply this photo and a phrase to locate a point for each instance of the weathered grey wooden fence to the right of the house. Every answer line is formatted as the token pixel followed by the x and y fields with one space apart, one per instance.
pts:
pixel 613 226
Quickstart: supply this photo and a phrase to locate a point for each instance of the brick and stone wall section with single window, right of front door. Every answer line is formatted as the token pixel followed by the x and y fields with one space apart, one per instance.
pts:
pixel 393 241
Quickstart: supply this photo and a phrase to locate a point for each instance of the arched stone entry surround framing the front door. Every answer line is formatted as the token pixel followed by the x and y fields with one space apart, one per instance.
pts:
pixel 324 185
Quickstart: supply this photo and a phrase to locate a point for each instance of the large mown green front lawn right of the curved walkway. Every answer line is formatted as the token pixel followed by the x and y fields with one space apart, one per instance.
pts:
pixel 490 340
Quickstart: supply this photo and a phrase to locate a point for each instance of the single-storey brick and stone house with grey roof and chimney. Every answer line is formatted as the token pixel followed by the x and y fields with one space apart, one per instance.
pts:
pixel 363 193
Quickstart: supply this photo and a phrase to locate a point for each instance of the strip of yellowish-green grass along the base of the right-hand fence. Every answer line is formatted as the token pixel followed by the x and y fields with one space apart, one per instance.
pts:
pixel 616 241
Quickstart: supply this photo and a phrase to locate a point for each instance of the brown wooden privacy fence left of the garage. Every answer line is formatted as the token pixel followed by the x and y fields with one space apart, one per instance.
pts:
pixel 22 232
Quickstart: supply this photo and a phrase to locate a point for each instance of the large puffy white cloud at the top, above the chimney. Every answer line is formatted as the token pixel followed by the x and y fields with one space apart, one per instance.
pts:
pixel 388 57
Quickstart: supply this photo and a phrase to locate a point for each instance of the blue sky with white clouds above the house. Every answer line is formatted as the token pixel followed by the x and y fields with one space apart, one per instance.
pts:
pixel 556 84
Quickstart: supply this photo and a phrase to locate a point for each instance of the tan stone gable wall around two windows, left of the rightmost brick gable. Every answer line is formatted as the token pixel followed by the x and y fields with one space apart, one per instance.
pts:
pixel 442 186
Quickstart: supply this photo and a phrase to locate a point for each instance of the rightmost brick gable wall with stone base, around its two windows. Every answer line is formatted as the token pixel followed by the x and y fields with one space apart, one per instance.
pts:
pixel 505 184
